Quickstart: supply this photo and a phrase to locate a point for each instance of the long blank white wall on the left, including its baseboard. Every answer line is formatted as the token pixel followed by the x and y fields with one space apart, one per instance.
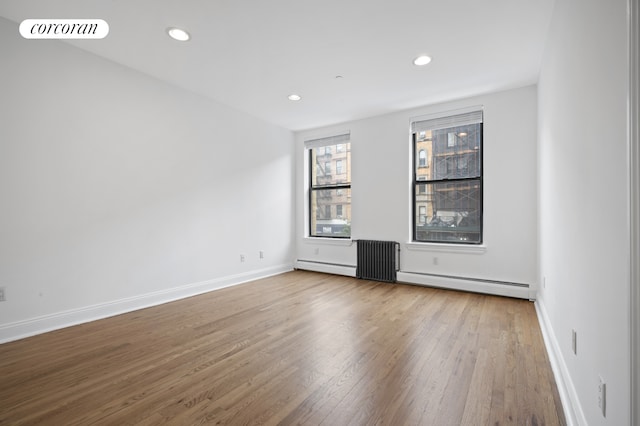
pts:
pixel 118 190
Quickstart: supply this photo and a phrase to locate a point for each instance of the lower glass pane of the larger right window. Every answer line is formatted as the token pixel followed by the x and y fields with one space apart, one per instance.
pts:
pixel 453 212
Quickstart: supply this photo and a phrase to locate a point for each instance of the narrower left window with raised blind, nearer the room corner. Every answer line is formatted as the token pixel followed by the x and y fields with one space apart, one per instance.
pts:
pixel 330 193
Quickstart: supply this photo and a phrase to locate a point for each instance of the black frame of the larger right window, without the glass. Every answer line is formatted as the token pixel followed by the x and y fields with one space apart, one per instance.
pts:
pixel 415 182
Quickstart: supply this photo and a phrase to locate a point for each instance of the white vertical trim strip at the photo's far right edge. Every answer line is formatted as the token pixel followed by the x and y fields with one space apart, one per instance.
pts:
pixel 634 204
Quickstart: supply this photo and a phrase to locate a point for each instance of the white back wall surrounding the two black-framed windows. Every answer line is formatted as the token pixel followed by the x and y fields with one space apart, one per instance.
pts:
pixel 381 195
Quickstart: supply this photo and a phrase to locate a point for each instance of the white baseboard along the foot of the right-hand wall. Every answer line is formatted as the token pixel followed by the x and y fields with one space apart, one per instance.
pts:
pixel 573 412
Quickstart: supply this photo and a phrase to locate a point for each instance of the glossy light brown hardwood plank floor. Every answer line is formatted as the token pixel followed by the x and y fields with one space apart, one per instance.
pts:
pixel 298 348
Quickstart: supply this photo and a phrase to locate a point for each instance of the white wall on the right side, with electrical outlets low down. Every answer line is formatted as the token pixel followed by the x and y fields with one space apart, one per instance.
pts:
pixel 584 223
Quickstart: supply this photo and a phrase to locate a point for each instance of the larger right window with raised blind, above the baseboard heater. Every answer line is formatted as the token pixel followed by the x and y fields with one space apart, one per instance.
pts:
pixel 447 197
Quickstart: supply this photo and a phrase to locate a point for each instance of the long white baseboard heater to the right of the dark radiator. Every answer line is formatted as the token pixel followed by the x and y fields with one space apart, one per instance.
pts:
pixel 475 286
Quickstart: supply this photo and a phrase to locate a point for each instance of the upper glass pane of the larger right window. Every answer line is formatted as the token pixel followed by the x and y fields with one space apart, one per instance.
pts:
pixel 453 153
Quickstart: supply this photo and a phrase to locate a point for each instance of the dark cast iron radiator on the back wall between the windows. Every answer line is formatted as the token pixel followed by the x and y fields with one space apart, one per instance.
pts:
pixel 377 260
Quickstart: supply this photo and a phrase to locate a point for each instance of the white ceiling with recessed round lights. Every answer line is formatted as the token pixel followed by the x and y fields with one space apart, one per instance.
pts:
pixel 251 54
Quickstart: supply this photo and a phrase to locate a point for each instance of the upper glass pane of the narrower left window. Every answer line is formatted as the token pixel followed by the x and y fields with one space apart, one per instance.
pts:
pixel 331 166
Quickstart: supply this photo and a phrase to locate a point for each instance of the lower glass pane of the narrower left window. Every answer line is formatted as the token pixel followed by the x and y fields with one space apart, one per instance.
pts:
pixel 330 213
